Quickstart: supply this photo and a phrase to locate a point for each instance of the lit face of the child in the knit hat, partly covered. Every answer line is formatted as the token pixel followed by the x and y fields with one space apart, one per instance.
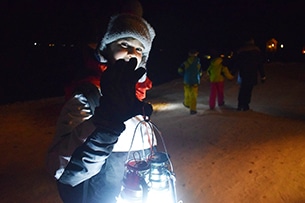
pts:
pixel 126 48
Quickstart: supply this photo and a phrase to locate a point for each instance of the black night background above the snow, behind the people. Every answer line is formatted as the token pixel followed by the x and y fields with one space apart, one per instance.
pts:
pixel 180 25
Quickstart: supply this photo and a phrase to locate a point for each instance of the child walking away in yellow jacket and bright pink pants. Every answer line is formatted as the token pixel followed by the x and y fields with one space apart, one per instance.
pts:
pixel 217 73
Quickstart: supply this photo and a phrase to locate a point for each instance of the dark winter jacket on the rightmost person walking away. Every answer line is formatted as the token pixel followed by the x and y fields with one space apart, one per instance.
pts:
pixel 248 63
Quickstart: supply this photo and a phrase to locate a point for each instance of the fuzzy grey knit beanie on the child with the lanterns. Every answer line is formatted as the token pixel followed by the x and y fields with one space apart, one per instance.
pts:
pixel 129 25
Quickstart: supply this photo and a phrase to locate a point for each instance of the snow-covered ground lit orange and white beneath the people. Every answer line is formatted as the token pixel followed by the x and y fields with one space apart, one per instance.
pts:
pixel 218 156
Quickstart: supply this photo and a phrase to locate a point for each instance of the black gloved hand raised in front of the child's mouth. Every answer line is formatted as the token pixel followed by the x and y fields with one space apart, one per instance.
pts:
pixel 118 102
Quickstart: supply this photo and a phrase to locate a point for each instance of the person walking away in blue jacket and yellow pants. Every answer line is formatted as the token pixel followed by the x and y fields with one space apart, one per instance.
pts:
pixel 191 72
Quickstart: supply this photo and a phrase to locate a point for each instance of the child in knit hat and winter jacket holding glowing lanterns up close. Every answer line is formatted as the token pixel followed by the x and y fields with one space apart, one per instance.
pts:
pixel 95 129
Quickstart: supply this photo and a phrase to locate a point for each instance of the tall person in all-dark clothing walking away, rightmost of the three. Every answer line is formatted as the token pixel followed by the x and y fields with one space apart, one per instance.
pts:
pixel 248 63
